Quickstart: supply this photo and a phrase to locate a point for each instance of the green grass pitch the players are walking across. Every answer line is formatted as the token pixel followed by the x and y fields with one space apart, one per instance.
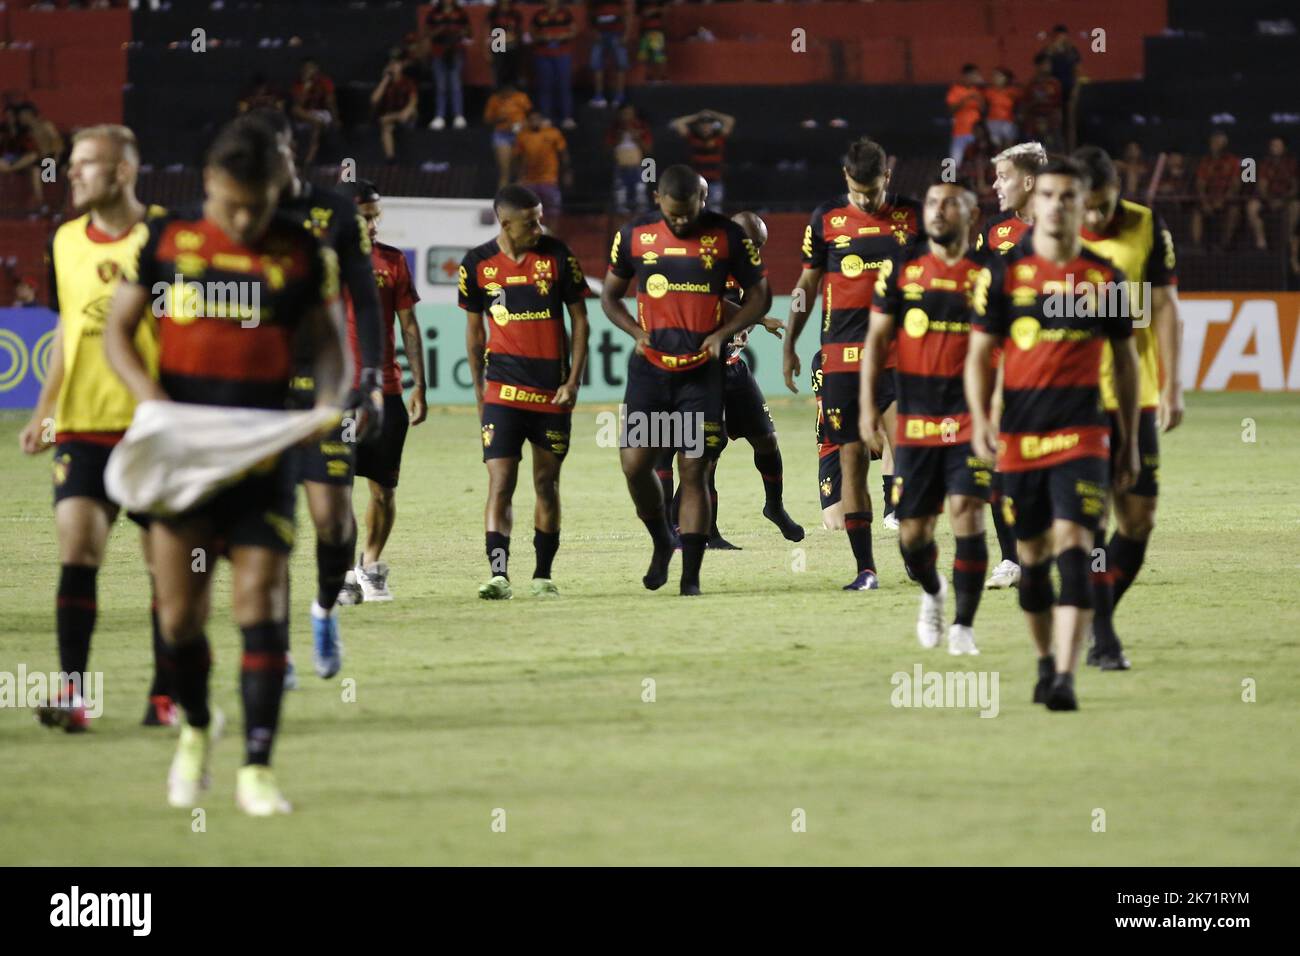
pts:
pixel 773 693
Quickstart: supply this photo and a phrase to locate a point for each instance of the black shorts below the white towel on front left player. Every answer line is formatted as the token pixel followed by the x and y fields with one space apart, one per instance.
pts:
pixel 257 512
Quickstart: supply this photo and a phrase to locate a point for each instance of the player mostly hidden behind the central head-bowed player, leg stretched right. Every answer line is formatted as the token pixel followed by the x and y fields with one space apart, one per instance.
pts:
pixel 746 417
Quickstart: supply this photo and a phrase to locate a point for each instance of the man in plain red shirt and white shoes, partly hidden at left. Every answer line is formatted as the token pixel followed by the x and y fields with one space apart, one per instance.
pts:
pixel 380 461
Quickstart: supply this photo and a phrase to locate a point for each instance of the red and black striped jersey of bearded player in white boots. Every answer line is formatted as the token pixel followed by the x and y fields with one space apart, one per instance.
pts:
pixel 930 304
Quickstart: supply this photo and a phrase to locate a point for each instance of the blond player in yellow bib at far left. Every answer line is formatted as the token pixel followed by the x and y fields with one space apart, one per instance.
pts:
pixel 90 409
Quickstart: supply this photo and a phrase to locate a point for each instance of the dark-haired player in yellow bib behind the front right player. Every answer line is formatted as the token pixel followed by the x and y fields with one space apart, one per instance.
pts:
pixel 1134 239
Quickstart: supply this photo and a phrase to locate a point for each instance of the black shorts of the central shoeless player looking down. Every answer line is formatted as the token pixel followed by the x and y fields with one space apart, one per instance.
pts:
pixel 674 410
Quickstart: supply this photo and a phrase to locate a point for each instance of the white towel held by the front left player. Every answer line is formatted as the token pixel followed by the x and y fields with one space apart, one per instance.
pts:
pixel 175 455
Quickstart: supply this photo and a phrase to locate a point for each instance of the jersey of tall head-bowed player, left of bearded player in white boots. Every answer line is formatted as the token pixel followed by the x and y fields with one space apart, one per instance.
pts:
pixel 851 245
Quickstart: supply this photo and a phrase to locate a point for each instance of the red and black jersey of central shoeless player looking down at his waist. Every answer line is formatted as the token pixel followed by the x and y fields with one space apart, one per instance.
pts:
pixel 682 280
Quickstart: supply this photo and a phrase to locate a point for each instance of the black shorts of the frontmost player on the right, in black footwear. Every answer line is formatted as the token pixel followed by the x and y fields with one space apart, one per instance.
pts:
pixel 1072 491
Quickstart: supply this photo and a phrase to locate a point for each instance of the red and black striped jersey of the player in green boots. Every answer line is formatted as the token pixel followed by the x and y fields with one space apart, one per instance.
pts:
pixel 527 345
